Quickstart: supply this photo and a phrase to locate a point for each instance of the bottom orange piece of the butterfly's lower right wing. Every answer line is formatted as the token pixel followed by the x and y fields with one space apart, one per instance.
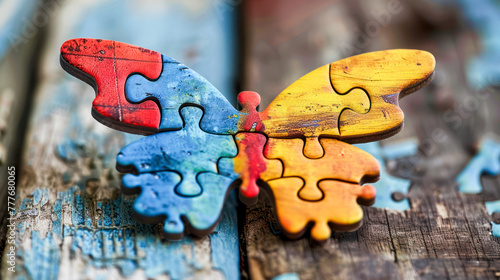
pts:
pixel 338 209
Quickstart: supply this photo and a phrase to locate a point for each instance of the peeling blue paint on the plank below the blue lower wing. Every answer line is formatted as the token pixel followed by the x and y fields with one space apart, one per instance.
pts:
pixel 121 242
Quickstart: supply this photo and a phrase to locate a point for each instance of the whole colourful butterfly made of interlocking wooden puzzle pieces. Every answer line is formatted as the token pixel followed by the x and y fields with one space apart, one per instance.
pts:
pixel 199 147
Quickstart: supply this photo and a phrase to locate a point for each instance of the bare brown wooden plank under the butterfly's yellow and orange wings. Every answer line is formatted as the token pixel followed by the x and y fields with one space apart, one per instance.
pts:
pixel 444 234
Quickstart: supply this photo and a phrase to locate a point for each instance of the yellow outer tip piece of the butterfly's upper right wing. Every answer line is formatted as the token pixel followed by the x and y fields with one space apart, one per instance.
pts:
pixel 386 76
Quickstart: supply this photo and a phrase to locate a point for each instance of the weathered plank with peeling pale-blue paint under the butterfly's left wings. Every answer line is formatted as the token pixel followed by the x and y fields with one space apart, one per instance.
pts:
pixel 71 220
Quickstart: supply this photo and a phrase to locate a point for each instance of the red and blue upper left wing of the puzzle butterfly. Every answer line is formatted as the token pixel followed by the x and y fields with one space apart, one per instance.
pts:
pixel 141 91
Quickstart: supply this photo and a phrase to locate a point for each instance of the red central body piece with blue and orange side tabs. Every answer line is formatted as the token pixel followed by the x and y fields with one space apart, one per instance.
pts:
pixel 250 165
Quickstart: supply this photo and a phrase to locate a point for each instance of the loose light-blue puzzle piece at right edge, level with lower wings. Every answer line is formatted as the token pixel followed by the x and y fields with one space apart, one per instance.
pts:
pixel 486 161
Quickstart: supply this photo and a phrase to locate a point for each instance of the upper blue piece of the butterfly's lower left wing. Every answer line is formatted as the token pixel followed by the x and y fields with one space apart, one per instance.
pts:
pixel 188 152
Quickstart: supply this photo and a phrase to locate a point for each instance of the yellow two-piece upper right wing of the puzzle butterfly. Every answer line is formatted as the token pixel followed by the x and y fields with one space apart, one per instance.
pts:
pixel 354 99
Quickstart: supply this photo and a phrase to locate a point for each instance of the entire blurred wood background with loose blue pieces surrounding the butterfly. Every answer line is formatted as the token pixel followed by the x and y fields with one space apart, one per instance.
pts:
pixel 71 222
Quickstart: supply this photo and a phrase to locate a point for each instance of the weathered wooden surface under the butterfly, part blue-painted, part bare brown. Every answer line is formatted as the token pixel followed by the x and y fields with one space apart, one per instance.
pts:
pixel 73 223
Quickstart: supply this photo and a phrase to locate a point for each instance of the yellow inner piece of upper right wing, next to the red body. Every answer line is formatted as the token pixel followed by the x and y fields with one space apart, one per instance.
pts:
pixel 311 107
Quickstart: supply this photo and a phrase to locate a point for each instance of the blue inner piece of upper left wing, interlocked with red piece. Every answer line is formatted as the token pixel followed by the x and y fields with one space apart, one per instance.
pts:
pixel 178 86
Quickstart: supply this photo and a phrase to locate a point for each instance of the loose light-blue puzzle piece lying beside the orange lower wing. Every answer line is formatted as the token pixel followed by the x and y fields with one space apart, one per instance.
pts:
pixel 388 184
